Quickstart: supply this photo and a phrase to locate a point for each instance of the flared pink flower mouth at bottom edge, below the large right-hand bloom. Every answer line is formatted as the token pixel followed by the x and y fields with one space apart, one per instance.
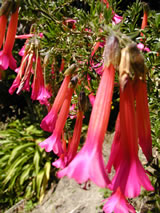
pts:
pixel 118 204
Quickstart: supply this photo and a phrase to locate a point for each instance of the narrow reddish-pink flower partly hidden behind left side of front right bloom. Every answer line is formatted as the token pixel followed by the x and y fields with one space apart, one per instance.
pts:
pixel 115 149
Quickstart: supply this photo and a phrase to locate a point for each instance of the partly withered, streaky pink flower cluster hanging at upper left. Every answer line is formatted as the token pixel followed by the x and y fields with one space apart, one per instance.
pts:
pixel 31 65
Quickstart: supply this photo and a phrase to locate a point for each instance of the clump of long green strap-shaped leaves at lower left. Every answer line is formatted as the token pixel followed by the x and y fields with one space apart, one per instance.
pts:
pixel 24 167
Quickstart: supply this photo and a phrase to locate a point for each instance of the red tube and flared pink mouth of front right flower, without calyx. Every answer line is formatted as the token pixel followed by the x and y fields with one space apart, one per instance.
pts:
pixel 130 175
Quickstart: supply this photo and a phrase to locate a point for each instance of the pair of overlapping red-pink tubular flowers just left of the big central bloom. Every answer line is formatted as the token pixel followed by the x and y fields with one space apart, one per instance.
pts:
pixel 55 120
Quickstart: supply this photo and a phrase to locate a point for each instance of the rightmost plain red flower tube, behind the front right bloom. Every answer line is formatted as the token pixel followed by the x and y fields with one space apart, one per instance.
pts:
pixel 143 121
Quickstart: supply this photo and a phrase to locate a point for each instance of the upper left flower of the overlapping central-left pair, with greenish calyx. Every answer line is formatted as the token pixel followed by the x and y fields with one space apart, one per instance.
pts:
pixel 48 122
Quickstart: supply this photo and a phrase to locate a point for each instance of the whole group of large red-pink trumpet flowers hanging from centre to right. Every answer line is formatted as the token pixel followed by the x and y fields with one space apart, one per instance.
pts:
pixel 132 130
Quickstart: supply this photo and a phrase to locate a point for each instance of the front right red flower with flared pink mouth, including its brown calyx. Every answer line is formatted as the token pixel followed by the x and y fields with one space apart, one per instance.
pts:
pixel 130 175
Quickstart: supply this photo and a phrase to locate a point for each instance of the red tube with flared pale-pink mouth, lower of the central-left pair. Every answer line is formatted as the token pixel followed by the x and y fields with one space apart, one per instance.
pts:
pixel 54 141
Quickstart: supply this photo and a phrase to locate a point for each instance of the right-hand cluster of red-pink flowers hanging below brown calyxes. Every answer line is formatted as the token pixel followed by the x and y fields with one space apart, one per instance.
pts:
pixel 132 128
